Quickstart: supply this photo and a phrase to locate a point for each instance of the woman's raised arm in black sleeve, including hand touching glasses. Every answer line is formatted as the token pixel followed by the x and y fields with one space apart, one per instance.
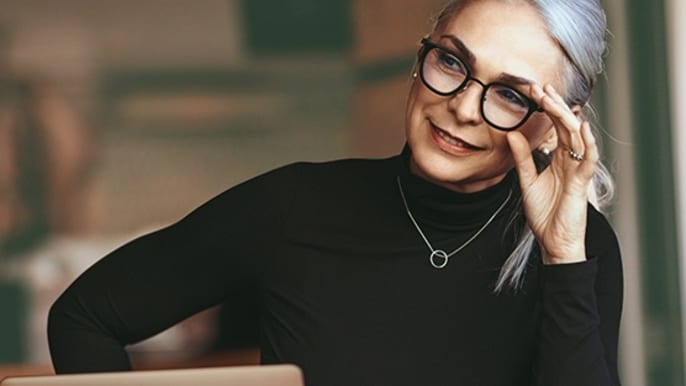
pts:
pixel 581 274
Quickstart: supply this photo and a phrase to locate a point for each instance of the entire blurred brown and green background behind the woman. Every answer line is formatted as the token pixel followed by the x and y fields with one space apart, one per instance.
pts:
pixel 119 117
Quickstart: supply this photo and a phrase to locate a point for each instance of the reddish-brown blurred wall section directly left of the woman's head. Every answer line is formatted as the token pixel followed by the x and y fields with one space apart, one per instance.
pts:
pixel 385 30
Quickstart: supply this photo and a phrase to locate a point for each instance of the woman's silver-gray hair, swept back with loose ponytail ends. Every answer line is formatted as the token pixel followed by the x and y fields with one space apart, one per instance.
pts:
pixel 579 27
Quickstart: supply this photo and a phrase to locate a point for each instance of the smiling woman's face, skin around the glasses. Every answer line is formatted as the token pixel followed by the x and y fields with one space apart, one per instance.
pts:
pixel 500 41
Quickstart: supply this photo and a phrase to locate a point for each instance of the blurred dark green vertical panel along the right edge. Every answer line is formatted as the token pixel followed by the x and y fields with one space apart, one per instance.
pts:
pixel 656 192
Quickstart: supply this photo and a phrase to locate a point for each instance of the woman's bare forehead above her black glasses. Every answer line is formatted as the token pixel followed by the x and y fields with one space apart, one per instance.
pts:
pixel 505 37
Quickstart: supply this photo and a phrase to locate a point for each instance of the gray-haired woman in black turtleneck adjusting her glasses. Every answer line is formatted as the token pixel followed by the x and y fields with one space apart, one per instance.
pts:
pixel 419 269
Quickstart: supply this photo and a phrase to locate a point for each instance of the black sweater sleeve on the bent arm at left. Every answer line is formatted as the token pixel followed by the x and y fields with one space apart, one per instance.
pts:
pixel 162 278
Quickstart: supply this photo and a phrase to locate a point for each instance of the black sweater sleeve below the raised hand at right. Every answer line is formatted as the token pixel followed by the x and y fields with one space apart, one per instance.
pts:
pixel 581 309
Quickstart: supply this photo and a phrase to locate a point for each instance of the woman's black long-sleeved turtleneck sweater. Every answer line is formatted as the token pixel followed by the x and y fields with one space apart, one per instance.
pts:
pixel 344 286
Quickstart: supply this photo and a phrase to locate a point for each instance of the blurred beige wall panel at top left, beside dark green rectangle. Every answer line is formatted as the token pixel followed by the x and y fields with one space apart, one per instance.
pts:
pixel 68 35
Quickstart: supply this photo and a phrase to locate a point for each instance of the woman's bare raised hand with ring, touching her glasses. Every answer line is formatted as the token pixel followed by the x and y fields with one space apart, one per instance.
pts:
pixel 556 200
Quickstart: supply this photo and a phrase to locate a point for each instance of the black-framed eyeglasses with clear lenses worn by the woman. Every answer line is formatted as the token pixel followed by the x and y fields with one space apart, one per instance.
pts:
pixel 502 106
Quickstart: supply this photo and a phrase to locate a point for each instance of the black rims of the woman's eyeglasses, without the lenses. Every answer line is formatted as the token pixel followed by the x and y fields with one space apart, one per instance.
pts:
pixel 428 45
